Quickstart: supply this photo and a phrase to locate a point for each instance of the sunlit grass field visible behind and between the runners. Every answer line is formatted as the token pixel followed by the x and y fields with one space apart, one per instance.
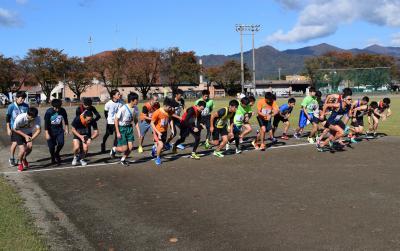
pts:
pixel 390 126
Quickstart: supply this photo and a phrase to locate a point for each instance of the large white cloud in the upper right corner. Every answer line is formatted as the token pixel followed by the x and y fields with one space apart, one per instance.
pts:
pixel 321 18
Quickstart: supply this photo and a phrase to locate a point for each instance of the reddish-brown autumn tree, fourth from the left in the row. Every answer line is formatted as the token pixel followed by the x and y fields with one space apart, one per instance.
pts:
pixel 109 68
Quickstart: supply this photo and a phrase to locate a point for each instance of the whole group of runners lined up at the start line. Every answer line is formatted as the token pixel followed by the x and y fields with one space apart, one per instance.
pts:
pixel 337 120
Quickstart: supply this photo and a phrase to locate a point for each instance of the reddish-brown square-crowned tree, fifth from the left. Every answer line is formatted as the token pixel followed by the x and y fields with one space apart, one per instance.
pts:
pixel 142 70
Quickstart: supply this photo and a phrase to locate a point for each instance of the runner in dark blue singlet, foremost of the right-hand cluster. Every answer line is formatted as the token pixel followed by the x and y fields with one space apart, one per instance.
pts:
pixel 334 124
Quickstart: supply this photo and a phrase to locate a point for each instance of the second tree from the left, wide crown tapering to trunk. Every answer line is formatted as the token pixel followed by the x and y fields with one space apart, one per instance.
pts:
pixel 47 67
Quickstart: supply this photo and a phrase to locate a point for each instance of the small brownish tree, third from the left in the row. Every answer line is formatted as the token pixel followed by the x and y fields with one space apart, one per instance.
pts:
pixel 78 76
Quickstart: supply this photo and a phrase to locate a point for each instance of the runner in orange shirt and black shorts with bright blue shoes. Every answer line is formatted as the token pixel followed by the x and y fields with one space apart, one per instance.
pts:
pixel 159 123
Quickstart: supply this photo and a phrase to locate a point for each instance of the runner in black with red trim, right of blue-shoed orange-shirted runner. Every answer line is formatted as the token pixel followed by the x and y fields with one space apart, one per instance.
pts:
pixel 190 124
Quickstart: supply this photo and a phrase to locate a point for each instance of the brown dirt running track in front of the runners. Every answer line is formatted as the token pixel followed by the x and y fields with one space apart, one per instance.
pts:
pixel 290 198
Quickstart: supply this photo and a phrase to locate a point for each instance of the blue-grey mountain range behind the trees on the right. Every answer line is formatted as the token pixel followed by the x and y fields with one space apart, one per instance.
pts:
pixel 269 59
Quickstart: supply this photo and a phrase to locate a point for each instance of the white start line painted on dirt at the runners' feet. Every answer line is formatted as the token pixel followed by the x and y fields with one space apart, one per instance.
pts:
pixel 132 161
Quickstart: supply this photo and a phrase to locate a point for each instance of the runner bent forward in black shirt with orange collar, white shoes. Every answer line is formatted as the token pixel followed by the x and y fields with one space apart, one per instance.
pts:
pixel 82 130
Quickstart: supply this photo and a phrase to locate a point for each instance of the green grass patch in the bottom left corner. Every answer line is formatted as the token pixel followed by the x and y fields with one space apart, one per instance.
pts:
pixel 16 229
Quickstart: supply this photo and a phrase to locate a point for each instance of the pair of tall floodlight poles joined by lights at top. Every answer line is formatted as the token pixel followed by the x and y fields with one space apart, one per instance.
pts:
pixel 253 28
